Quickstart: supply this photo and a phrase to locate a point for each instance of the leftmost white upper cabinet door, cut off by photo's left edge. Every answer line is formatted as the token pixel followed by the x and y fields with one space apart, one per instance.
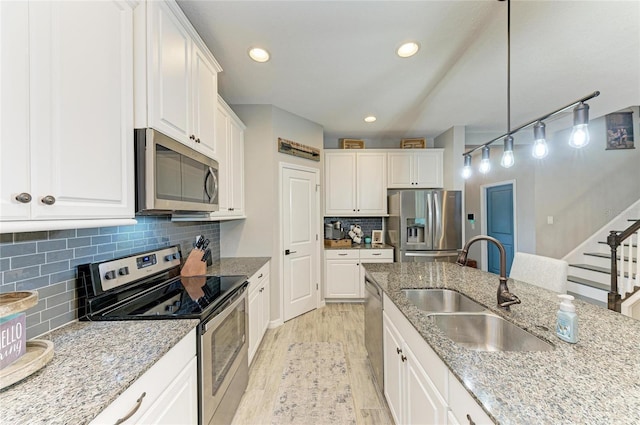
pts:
pixel 14 110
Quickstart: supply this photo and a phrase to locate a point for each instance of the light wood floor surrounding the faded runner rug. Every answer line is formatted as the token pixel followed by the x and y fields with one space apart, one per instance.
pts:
pixel 342 323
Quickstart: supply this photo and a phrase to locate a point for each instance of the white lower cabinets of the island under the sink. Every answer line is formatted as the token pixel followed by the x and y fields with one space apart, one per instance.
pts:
pixel 418 386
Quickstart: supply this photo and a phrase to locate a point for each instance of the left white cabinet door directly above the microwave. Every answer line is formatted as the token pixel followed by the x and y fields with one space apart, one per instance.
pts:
pixel 169 68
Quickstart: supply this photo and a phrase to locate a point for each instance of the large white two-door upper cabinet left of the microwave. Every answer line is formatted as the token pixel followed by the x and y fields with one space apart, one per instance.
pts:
pixel 67 110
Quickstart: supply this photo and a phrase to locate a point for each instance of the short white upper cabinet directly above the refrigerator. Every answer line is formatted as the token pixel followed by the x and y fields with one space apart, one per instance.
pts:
pixel 415 169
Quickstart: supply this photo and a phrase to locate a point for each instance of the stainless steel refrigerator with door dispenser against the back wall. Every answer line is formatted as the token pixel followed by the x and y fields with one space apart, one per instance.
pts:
pixel 424 225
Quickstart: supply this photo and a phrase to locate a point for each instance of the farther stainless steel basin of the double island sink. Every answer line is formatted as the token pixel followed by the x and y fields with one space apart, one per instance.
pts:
pixel 441 301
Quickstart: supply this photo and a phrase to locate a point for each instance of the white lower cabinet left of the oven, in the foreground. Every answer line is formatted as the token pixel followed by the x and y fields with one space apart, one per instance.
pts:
pixel 167 393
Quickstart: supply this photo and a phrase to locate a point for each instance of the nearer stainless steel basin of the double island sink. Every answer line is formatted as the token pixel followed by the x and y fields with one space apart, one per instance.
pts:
pixel 486 332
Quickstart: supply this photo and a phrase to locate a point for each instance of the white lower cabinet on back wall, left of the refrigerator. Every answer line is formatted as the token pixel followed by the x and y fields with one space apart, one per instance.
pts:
pixel 344 274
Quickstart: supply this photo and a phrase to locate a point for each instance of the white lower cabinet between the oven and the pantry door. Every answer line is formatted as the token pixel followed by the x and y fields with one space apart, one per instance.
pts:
pixel 259 310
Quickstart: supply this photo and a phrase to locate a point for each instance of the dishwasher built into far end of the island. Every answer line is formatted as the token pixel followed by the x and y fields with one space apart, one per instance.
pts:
pixel 373 327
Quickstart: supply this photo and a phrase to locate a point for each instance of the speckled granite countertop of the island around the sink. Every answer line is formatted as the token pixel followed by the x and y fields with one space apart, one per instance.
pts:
pixel 596 381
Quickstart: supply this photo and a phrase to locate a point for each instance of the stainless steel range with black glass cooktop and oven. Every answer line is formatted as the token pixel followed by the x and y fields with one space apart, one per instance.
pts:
pixel 148 286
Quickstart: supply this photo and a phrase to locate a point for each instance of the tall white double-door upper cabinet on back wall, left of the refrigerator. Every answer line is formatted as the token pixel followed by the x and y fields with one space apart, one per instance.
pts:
pixel 355 183
